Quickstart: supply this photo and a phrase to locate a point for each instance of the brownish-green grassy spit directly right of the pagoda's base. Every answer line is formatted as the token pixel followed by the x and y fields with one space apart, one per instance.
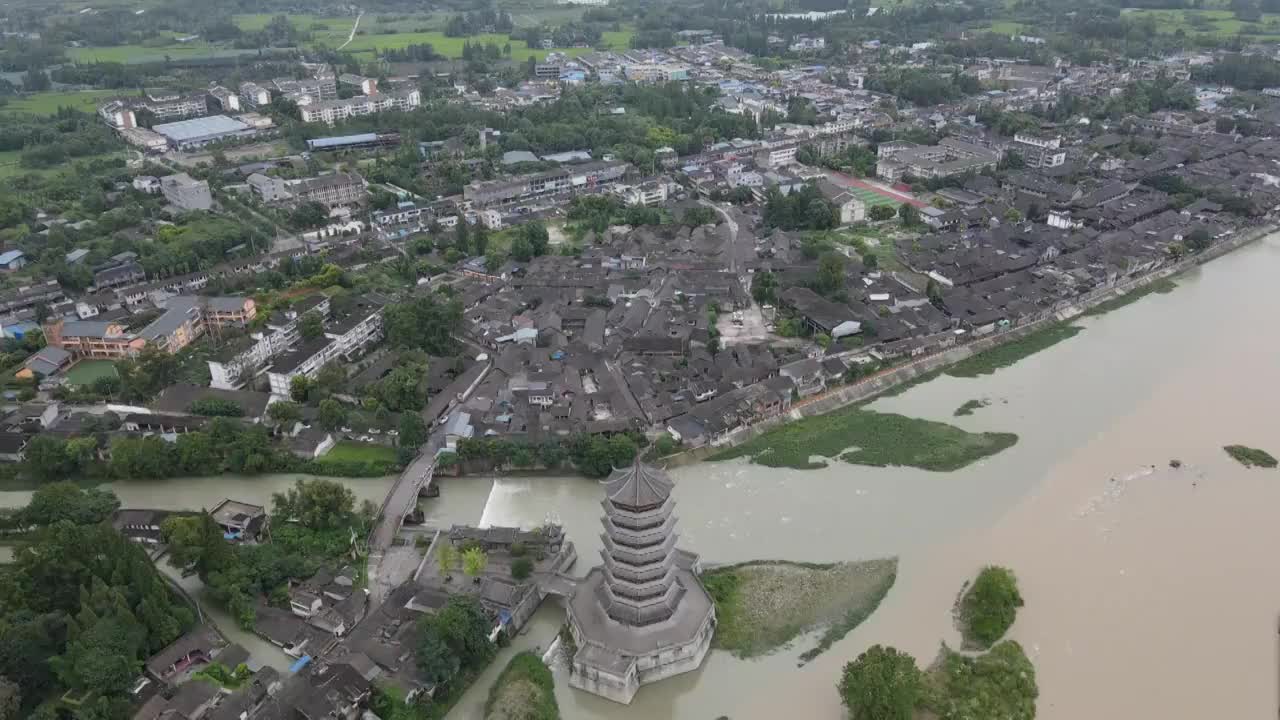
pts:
pixel 765 605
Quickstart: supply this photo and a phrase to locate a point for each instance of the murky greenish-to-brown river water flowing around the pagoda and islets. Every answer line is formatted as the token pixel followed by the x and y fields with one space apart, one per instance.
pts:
pixel 1150 591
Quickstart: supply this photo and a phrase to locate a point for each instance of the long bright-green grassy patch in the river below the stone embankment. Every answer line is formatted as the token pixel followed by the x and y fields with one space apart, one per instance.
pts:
pixel 865 438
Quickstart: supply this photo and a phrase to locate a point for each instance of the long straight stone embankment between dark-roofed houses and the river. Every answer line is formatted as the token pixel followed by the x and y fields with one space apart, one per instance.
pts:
pixel 913 370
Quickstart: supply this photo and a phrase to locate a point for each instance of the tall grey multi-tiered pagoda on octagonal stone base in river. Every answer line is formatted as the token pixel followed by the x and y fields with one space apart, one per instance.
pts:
pixel 644 614
